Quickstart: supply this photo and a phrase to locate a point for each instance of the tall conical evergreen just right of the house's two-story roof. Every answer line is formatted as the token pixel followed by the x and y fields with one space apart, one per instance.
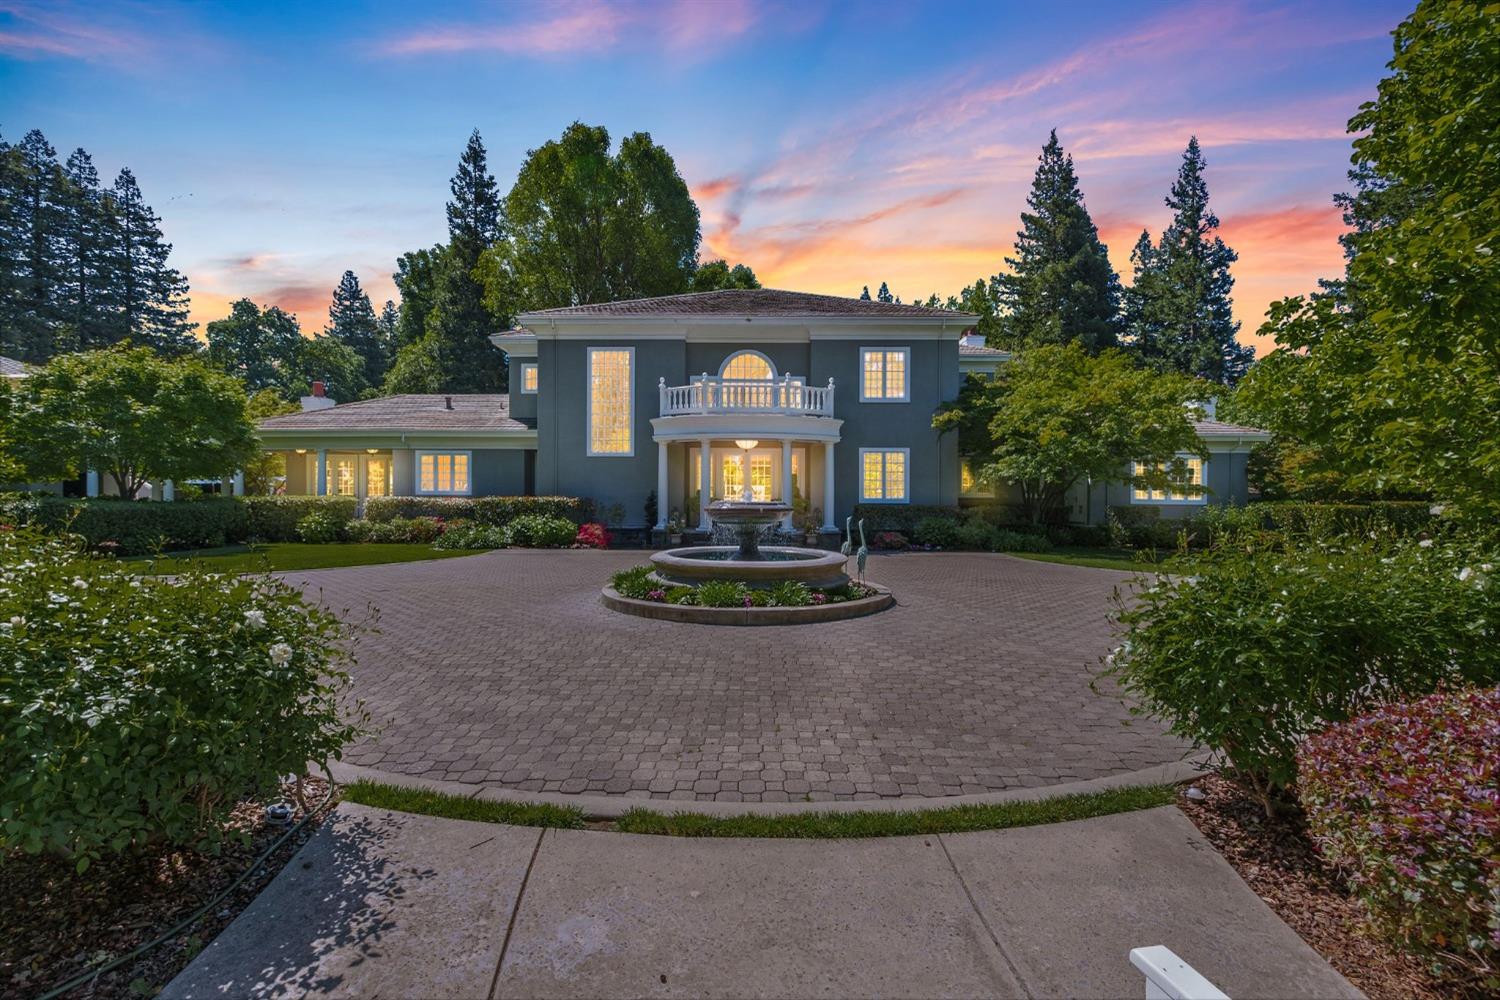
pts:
pixel 1061 287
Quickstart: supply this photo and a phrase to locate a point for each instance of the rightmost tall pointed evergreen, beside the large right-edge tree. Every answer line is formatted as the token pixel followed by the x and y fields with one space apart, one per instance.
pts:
pixel 1178 311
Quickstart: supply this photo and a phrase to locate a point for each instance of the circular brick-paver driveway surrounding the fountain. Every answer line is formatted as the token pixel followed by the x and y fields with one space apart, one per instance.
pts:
pixel 505 671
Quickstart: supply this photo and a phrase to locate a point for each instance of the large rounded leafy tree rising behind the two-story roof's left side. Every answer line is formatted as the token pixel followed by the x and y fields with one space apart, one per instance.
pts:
pixel 587 226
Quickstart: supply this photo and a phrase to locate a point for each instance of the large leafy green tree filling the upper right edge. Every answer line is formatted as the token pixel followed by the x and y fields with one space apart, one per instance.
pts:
pixel 1402 359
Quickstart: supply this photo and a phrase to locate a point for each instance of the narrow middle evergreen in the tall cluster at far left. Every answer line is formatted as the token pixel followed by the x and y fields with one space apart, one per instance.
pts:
pixel 85 247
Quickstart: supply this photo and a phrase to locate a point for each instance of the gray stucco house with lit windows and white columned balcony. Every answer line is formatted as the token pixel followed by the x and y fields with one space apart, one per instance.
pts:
pixel 794 395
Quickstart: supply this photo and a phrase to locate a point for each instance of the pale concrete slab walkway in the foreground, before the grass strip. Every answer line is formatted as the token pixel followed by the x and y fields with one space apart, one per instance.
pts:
pixel 406 906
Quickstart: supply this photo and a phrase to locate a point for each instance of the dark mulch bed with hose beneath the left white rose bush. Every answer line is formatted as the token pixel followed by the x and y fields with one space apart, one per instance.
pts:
pixel 58 924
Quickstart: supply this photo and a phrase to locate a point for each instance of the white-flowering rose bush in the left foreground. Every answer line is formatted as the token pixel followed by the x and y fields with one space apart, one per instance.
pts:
pixel 139 710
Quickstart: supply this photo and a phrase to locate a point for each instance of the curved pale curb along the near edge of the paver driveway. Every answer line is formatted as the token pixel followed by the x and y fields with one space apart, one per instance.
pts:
pixel 610 807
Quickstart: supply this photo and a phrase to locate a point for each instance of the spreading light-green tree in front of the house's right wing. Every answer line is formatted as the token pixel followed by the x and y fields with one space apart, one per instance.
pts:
pixel 1057 416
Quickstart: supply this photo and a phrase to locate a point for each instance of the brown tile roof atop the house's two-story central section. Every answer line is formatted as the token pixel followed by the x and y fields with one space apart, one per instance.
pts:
pixel 751 302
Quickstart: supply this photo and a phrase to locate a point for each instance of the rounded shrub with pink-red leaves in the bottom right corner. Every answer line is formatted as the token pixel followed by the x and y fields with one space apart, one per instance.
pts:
pixel 1406 801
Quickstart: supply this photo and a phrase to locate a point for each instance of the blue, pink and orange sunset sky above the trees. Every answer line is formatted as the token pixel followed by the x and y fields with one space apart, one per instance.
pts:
pixel 829 146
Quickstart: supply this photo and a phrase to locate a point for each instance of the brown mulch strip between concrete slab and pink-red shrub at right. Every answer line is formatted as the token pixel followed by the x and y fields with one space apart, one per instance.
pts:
pixel 1277 860
